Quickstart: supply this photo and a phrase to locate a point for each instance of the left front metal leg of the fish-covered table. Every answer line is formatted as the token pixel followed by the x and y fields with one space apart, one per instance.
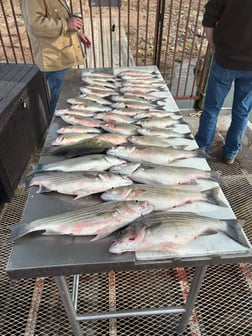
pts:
pixel 68 304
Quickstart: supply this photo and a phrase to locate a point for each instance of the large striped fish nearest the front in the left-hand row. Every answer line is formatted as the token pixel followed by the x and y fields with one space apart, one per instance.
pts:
pixel 99 221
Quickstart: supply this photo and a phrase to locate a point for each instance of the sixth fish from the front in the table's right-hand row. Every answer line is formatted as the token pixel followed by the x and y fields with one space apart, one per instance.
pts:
pixel 164 133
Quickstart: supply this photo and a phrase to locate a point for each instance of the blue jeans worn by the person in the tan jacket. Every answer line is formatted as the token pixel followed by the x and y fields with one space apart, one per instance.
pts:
pixel 55 81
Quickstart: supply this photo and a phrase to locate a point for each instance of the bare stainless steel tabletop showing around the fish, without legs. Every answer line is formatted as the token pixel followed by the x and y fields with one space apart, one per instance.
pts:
pixel 65 255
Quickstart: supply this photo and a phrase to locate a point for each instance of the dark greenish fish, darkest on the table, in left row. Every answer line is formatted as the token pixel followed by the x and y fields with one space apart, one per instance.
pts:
pixel 94 145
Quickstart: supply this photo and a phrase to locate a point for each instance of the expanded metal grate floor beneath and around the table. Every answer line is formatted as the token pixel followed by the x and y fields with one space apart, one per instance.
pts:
pixel 33 307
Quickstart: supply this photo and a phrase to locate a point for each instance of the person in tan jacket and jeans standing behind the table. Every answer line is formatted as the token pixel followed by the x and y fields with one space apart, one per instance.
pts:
pixel 55 37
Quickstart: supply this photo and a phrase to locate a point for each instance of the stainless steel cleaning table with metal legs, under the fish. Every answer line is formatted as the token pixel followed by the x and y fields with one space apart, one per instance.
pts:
pixel 36 255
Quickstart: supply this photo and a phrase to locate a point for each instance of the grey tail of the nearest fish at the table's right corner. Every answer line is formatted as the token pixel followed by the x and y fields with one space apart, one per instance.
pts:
pixel 234 231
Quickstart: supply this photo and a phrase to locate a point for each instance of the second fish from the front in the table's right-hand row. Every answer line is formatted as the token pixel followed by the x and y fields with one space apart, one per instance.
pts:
pixel 161 197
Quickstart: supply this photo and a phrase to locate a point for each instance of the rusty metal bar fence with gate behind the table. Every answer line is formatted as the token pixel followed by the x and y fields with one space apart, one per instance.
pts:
pixel 164 33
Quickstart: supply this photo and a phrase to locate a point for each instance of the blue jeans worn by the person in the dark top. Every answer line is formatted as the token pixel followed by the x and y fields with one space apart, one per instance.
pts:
pixel 219 84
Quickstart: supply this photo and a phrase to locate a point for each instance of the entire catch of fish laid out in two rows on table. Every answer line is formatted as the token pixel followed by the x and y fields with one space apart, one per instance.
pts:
pixel 119 142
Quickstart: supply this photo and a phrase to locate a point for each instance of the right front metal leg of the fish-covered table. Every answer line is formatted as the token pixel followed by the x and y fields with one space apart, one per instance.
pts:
pixel 192 296
